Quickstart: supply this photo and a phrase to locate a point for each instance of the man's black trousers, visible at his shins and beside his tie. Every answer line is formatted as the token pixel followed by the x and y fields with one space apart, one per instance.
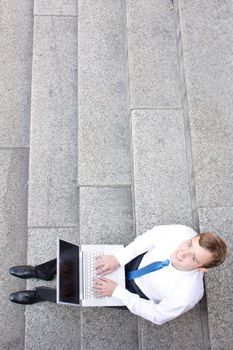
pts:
pixel 49 269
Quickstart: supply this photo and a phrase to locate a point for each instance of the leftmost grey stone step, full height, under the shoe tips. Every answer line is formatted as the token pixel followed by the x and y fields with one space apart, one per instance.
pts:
pixel 15 86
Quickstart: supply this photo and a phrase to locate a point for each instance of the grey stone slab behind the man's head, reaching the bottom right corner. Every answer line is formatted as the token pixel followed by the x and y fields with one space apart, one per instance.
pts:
pixel 219 285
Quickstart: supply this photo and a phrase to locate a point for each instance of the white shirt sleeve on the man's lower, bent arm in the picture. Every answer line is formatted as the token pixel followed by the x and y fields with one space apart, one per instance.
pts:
pixel 159 314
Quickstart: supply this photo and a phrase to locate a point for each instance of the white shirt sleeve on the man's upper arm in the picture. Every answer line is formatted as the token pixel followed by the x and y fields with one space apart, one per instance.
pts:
pixel 140 245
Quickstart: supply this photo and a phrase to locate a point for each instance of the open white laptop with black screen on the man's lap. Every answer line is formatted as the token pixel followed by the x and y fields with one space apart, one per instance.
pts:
pixel 76 272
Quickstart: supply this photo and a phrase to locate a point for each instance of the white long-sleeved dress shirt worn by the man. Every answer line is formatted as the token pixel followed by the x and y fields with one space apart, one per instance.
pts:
pixel 171 291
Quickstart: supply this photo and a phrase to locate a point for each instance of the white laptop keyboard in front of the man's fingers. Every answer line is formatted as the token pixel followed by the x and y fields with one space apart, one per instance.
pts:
pixel 90 274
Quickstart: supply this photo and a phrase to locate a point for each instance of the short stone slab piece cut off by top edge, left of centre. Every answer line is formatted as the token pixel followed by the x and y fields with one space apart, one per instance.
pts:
pixel 55 7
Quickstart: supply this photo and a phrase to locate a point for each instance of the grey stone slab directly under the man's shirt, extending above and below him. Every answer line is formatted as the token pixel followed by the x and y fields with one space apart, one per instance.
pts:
pixel 161 186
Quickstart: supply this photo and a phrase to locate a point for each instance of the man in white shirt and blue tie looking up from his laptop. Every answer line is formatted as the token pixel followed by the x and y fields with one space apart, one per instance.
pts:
pixel 159 295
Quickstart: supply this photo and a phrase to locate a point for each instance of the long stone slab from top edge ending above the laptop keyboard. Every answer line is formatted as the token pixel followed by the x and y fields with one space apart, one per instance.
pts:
pixel 103 141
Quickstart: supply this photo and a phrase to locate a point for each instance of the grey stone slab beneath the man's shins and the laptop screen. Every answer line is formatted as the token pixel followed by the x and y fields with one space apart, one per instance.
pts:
pixel 49 325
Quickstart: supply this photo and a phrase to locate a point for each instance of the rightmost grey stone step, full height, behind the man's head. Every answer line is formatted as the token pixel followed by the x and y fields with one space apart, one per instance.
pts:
pixel 206 34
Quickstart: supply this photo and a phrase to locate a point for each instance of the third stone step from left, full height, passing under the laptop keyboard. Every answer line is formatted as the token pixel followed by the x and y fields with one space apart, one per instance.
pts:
pixel 104 172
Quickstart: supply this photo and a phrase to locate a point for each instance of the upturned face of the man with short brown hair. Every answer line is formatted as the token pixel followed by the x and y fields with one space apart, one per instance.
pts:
pixel 190 255
